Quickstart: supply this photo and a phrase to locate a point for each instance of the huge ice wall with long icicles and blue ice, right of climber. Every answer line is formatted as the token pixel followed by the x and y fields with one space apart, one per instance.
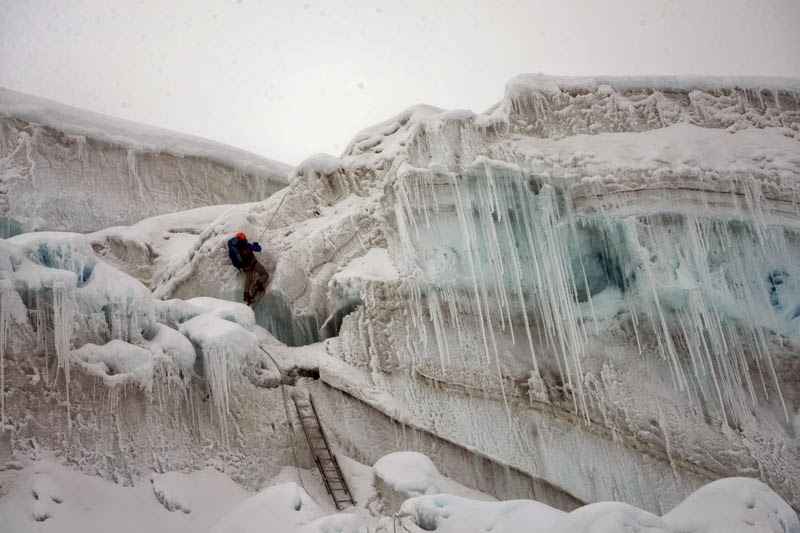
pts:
pixel 613 263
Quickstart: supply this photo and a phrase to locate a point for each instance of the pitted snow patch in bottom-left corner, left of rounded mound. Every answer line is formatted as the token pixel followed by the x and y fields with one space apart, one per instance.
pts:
pixel 49 497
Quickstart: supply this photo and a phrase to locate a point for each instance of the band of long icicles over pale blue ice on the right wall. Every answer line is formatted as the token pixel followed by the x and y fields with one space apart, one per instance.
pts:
pixel 713 292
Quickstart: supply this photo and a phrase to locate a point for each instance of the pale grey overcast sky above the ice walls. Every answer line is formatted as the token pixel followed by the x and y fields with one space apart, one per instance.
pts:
pixel 287 79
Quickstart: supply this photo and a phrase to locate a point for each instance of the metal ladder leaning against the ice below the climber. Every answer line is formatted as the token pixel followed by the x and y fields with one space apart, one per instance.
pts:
pixel 326 462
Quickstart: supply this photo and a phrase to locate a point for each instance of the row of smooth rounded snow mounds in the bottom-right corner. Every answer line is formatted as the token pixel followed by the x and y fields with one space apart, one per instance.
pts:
pixel 732 505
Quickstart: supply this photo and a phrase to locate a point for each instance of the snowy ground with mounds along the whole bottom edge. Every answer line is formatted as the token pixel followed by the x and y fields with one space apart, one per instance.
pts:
pixel 46 494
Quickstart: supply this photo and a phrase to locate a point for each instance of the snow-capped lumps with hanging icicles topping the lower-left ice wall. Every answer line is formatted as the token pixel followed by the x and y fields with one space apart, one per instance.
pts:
pixel 64 309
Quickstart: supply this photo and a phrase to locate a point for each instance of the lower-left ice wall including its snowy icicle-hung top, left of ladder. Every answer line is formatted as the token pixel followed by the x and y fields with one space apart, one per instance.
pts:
pixel 99 373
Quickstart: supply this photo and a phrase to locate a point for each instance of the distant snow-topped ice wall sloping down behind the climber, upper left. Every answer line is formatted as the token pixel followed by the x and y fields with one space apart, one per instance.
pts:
pixel 71 170
